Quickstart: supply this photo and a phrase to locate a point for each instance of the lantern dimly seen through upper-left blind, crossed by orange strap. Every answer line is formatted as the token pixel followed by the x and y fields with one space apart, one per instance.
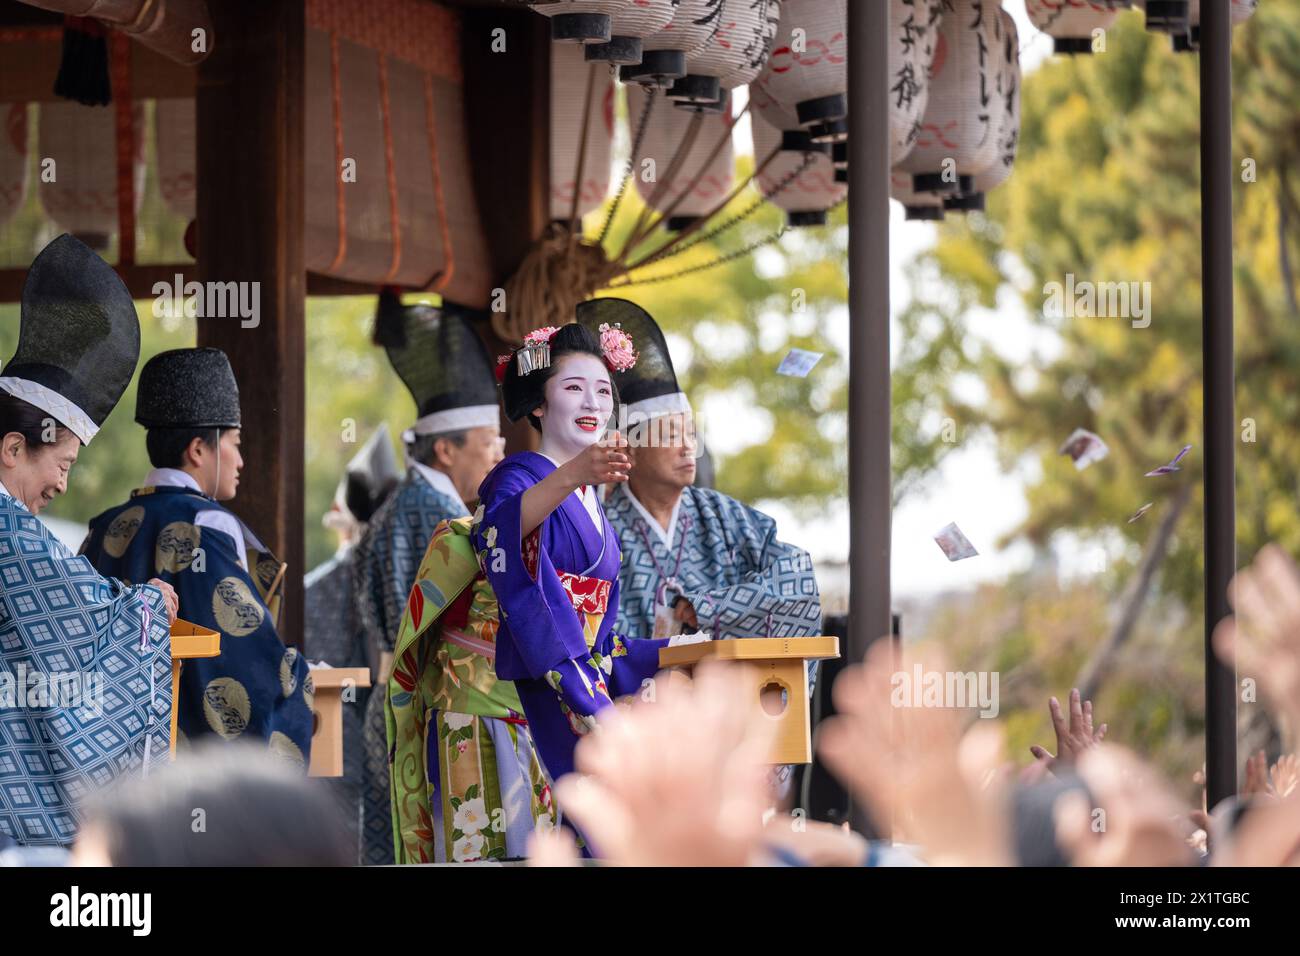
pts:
pixel 83 142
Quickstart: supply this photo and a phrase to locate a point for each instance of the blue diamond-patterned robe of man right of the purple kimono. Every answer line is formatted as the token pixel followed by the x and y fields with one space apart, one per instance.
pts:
pixel 725 559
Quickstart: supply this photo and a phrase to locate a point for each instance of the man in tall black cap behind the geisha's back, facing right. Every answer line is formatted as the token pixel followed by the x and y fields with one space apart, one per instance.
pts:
pixel 453 445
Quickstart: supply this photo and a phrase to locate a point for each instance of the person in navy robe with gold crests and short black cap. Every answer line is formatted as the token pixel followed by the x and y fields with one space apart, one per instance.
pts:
pixel 175 529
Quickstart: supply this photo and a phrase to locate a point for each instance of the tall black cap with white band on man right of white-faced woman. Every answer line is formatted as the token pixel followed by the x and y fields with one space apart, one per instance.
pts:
pixel 651 387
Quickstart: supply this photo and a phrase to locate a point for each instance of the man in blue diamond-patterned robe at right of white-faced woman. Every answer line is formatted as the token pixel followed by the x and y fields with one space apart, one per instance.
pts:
pixel 692 557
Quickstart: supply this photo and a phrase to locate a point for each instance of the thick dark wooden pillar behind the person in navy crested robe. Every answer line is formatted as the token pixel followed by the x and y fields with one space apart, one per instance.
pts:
pixel 250 230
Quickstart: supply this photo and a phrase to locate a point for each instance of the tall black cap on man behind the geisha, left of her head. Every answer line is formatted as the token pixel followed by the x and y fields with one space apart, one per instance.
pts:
pixel 441 361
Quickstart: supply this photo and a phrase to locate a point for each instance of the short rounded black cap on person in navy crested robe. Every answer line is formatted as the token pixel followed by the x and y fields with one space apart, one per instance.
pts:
pixel 185 388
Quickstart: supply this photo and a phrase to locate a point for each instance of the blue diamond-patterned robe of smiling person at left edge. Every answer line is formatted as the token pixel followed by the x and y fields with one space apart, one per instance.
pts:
pixel 59 618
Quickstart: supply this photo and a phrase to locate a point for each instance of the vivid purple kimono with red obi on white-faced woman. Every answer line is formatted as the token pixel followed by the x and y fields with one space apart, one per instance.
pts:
pixel 558 594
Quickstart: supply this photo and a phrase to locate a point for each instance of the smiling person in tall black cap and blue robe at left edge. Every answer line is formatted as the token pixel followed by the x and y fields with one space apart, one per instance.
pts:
pixel 85 660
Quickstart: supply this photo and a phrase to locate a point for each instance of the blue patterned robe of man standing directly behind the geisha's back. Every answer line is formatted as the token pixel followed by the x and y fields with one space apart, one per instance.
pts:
pixel 384 569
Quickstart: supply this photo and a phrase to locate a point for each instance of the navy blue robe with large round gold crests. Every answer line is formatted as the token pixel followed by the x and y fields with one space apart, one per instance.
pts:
pixel 258 687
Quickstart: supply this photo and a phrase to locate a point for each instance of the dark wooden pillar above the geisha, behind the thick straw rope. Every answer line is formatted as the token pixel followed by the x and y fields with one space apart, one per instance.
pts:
pixel 509 92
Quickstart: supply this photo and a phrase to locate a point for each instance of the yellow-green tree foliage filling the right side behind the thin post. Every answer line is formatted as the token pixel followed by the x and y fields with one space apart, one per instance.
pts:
pixel 1107 189
